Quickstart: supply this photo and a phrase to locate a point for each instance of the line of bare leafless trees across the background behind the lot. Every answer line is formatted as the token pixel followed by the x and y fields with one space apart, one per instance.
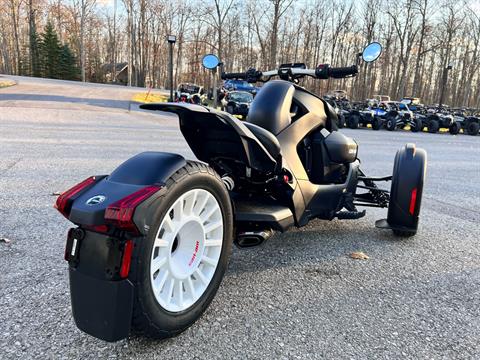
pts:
pixel 421 38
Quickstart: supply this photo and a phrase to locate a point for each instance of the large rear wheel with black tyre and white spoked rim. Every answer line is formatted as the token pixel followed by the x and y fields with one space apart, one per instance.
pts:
pixel 182 260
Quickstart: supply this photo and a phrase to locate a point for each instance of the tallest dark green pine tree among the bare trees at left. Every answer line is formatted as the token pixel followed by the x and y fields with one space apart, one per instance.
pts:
pixel 50 52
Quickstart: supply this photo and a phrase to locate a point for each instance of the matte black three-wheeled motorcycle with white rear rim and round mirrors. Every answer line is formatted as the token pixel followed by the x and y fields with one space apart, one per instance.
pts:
pixel 151 240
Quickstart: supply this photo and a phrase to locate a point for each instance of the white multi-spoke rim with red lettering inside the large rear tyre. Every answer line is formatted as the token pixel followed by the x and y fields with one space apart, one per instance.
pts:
pixel 187 250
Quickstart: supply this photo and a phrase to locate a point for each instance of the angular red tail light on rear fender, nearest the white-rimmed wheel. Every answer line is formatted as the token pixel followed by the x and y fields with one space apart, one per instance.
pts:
pixel 120 213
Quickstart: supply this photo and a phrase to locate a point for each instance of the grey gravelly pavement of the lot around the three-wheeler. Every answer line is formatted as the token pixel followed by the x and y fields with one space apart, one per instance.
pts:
pixel 298 296
